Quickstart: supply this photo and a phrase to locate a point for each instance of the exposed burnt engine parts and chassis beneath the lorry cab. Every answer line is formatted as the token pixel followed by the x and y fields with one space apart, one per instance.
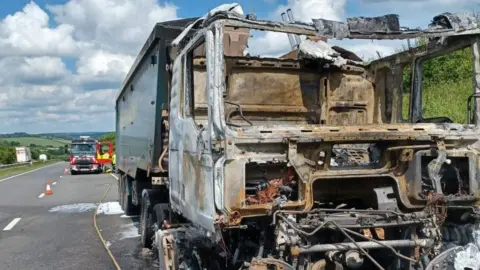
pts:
pixel 366 229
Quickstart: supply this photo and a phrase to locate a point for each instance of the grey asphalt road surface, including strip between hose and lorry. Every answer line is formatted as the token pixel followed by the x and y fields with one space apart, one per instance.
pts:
pixel 56 231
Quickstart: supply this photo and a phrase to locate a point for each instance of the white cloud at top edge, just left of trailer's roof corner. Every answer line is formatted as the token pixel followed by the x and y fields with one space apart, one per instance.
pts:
pixel 117 25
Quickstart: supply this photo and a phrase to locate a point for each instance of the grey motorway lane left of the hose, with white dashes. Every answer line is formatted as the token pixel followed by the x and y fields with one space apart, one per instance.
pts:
pixel 45 239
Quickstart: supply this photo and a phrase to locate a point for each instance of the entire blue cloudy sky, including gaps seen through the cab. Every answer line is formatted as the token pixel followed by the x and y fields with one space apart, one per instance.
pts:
pixel 62 61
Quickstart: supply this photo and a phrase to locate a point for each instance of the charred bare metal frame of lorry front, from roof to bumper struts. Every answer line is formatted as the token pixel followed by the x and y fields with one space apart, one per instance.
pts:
pixel 207 164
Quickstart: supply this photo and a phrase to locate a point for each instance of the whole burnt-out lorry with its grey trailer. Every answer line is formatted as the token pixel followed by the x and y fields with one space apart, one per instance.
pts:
pixel 306 160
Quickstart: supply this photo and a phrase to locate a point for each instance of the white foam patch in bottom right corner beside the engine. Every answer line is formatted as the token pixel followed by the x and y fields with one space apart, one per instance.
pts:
pixel 468 257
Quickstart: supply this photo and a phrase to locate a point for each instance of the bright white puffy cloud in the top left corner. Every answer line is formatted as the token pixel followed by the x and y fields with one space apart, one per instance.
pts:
pixel 27 33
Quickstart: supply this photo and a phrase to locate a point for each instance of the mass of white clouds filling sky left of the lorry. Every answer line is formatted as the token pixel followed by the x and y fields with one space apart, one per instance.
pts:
pixel 39 92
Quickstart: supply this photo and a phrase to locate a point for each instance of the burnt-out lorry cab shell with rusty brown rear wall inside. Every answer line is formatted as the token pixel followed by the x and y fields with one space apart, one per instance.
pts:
pixel 235 116
